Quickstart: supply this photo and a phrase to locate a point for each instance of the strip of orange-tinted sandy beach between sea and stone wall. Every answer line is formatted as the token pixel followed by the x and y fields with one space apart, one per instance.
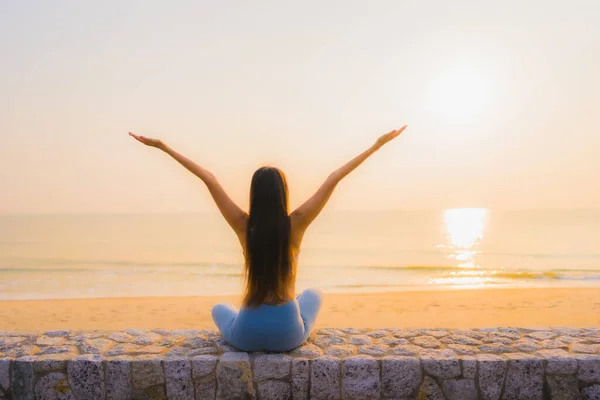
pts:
pixel 435 309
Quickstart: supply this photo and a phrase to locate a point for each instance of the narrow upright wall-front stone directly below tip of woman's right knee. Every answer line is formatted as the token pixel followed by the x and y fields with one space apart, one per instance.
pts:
pixel 325 378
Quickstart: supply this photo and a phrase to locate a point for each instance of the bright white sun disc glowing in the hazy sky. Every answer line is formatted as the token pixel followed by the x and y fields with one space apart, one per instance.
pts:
pixel 461 91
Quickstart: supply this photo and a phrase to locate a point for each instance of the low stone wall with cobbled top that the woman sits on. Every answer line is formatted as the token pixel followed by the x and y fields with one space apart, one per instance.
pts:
pixel 504 363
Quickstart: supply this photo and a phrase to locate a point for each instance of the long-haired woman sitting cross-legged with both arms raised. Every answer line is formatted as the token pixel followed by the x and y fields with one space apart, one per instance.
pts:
pixel 272 318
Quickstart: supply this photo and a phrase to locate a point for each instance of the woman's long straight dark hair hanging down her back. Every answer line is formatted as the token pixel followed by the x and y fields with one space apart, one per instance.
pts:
pixel 268 257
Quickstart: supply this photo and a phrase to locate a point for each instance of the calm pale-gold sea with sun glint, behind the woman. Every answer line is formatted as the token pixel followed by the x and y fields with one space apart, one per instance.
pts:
pixel 75 256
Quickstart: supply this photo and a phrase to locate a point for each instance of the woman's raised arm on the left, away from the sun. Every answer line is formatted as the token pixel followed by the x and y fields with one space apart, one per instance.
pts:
pixel 232 213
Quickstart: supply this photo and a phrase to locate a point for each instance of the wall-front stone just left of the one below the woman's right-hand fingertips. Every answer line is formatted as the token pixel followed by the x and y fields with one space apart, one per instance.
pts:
pixel 360 378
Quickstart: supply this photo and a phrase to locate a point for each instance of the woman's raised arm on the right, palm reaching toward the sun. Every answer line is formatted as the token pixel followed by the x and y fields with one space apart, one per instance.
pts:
pixel 307 212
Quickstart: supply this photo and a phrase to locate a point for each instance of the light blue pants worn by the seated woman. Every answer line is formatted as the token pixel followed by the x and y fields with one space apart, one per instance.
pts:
pixel 269 328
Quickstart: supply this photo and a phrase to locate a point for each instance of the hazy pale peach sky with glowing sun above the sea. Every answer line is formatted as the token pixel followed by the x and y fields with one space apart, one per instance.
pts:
pixel 500 99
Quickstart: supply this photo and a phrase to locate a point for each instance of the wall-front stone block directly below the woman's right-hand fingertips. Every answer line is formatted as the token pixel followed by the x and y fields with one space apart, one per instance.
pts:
pixel 401 376
